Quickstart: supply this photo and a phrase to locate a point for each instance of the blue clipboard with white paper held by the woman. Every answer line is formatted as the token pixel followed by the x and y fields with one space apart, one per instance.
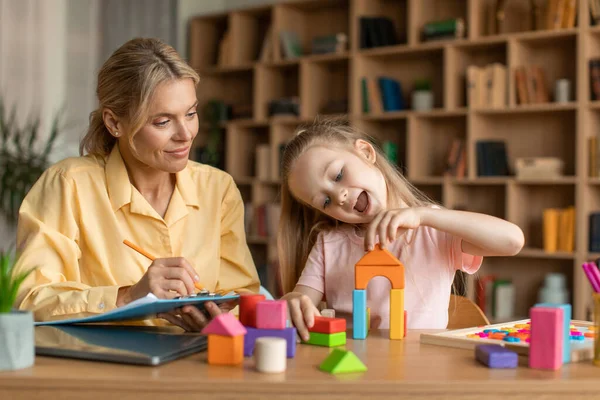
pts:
pixel 144 308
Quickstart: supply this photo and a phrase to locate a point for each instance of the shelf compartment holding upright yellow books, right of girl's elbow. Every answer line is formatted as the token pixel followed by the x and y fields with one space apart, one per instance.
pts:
pixel 537 198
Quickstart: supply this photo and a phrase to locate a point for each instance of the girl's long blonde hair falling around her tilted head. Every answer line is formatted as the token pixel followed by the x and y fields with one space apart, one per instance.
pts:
pixel 300 224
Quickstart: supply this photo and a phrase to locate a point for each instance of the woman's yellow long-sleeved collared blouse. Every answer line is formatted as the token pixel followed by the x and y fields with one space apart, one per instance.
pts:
pixel 73 222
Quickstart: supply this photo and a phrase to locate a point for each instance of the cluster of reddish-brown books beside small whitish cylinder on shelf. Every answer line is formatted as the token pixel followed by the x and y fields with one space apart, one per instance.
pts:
pixel 531 84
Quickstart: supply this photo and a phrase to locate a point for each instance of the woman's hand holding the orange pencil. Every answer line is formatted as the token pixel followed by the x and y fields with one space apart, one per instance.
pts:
pixel 166 278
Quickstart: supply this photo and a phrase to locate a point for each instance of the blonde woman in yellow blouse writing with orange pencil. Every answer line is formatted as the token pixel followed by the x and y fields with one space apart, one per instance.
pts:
pixel 136 183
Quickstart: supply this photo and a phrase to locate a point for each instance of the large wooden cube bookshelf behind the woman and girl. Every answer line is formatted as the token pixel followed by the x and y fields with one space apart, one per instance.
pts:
pixel 423 137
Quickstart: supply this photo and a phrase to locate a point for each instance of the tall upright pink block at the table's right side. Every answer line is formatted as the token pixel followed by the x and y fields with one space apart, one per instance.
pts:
pixel 545 348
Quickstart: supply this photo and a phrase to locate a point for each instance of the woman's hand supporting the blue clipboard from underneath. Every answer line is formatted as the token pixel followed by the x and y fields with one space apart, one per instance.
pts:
pixel 191 319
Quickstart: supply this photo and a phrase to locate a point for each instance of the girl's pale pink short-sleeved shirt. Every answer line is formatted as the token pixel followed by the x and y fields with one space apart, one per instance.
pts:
pixel 430 258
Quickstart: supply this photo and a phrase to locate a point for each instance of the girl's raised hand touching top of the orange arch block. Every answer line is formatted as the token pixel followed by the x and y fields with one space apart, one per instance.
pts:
pixel 390 225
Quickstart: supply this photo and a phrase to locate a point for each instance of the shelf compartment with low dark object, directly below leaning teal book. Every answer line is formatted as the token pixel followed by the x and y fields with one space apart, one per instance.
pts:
pixel 274 83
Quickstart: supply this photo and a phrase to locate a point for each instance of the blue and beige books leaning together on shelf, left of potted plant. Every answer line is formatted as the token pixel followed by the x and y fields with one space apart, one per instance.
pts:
pixel 381 94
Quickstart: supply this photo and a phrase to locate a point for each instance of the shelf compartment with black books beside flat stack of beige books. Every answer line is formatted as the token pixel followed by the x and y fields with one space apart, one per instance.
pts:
pixel 542 134
